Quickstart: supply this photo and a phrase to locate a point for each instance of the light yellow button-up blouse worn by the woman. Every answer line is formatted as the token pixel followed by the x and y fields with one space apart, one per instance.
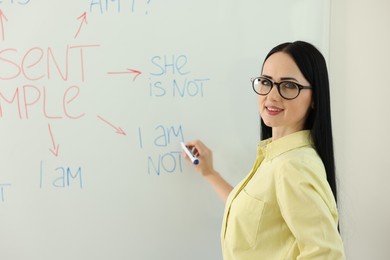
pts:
pixel 284 208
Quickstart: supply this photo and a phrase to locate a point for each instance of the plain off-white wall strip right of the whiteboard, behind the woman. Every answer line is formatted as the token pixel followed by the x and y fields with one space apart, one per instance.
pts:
pixel 359 72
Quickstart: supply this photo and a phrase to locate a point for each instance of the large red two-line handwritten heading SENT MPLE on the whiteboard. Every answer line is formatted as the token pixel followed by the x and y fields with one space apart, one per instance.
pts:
pixel 42 64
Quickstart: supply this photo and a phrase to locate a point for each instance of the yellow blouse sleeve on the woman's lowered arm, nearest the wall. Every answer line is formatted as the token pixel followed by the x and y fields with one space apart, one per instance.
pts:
pixel 309 210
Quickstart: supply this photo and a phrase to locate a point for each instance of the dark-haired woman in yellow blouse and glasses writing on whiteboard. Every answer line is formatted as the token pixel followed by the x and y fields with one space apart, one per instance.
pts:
pixel 286 207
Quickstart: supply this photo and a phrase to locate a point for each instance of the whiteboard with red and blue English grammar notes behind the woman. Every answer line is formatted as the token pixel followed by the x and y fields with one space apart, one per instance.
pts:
pixel 95 98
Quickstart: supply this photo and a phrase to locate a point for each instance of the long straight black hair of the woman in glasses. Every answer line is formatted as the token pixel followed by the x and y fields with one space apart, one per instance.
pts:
pixel 313 67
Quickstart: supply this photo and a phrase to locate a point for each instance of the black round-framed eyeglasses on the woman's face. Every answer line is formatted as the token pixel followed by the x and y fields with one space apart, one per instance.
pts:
pixel 287 89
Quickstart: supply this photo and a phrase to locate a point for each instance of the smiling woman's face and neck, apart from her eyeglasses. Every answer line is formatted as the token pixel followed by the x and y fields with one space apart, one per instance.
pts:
pixel 284 116
